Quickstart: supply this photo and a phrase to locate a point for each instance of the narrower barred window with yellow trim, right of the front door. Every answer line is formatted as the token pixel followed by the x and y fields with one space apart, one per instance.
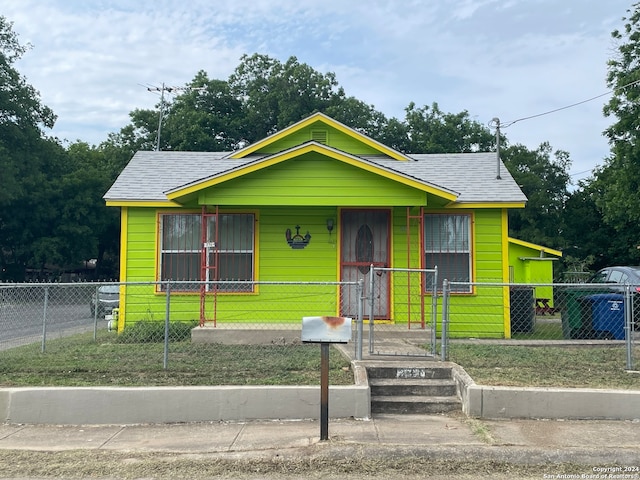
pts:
pixel 447 245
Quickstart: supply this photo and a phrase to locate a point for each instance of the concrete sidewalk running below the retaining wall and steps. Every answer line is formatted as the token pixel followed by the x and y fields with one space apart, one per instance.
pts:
pixel 439 436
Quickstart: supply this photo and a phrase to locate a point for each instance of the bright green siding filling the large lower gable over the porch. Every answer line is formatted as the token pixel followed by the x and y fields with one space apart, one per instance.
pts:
pixel 312 180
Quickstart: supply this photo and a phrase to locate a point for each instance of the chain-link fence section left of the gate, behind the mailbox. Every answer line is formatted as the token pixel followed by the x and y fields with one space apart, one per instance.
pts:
pixel 167 333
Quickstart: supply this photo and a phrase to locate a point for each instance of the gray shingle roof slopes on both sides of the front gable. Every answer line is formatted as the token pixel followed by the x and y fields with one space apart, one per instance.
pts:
pixel 149 175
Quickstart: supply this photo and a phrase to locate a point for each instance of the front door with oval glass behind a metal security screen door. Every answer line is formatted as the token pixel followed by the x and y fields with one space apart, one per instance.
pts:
pixel 364 241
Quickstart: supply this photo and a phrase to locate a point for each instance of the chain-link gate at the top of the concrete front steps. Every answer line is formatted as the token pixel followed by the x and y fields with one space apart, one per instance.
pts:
pixel 411 329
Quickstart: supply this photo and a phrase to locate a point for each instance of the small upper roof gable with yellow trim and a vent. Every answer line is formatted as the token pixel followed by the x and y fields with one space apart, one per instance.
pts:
pixel 320 129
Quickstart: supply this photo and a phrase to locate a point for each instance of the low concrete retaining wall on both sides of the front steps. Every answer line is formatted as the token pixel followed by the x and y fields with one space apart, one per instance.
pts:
pixel 136 405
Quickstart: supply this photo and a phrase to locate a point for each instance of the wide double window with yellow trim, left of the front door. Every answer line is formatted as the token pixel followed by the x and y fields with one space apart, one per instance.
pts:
pixel 227 253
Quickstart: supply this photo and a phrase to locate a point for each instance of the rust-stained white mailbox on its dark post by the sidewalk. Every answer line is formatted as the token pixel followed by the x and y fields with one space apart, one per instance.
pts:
pixel 325 331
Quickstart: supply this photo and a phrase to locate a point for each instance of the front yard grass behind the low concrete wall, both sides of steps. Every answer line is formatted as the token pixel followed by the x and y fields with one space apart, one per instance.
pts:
pixel 115 360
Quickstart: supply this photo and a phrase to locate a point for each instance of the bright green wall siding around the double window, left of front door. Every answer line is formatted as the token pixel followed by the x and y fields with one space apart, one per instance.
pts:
pixel 277 262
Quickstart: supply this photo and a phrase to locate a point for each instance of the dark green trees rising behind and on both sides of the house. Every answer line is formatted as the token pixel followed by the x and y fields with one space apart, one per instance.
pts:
pixel 51 209
